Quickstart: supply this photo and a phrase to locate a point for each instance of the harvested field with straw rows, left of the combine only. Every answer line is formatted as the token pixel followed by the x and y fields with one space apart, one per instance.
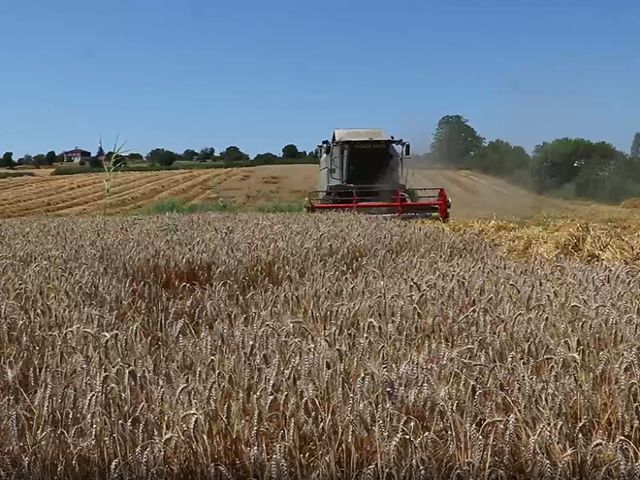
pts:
pixel 132 192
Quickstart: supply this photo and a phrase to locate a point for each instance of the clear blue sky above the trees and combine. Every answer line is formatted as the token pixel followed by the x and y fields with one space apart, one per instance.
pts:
pixel 260 74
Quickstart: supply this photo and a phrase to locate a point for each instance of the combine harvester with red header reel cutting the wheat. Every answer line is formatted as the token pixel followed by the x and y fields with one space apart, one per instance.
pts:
pixel 362 170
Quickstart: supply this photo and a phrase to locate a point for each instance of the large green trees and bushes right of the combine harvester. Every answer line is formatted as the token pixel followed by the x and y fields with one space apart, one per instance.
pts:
pixel 571 167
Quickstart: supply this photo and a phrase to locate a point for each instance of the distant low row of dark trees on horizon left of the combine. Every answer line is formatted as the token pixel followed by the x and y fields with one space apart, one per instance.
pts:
pixel 165 157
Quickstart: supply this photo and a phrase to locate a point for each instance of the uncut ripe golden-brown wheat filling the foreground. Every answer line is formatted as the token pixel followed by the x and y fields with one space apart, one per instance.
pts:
pixel 295 346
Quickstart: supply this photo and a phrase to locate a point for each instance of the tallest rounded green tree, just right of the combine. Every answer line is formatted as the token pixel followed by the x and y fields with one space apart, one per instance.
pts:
pixel 455 142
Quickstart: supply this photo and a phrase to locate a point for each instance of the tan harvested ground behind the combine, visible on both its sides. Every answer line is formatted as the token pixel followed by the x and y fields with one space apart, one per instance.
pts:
pixel 473 195
